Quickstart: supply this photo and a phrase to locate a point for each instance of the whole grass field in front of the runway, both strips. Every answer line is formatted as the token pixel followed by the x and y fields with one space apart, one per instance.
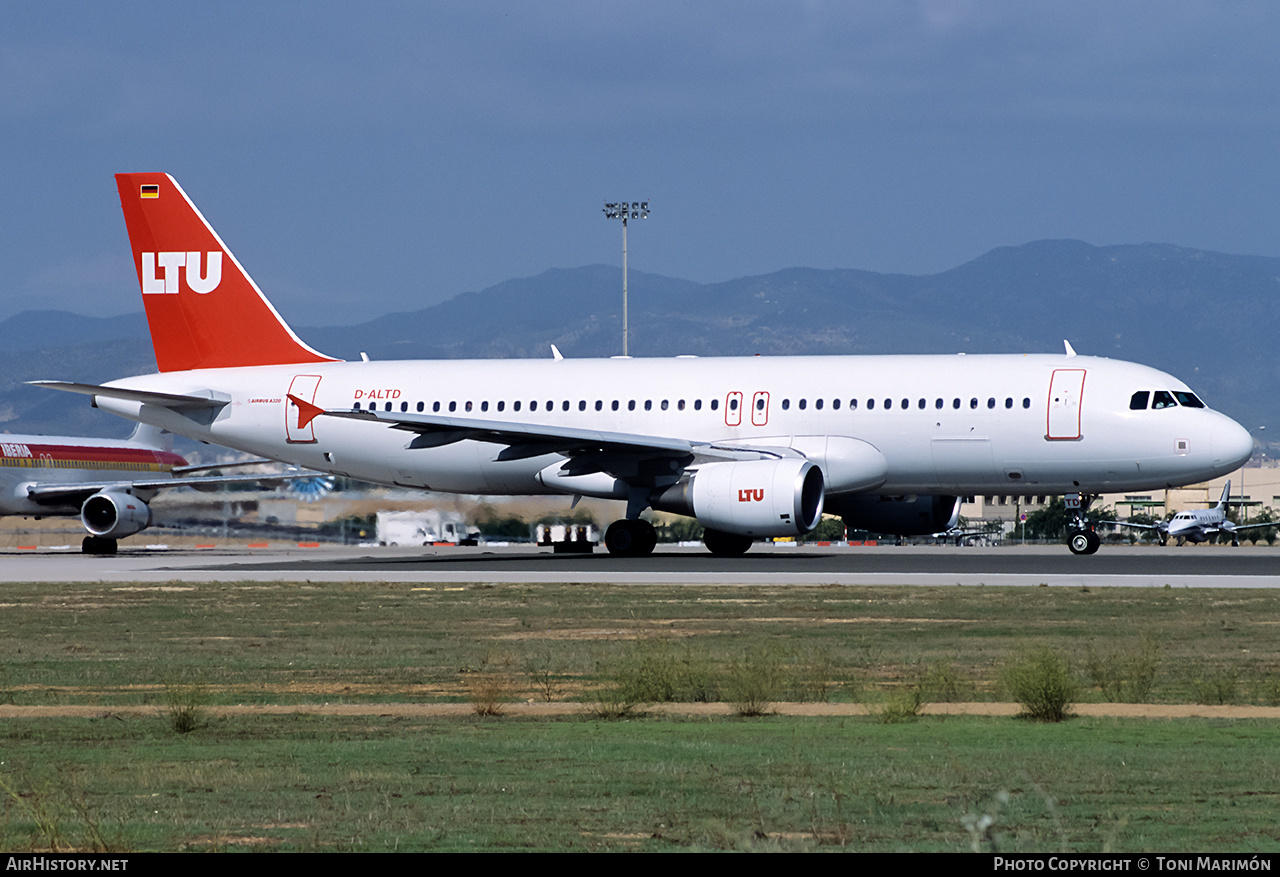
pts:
pixel 381 783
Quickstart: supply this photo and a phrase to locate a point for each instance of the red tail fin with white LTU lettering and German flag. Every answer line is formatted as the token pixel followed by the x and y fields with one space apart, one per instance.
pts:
pixel 204 310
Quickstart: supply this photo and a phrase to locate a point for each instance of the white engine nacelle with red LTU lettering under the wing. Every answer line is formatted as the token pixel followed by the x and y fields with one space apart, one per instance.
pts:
pixel 751 497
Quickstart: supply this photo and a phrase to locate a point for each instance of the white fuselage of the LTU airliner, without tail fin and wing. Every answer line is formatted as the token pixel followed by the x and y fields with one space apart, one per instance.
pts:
pixel 945 424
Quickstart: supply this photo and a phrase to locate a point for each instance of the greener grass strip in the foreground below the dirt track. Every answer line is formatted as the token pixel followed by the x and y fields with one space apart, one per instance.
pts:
pixel 391 784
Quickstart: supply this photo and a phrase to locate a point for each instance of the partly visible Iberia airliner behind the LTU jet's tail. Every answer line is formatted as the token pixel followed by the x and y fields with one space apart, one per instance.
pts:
pixel 107 483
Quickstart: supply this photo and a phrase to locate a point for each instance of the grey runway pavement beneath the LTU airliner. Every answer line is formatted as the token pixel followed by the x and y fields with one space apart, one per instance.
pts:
pixel 1201 567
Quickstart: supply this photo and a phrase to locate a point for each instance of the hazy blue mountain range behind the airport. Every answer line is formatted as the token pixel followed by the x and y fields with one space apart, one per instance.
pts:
pixel 1209 318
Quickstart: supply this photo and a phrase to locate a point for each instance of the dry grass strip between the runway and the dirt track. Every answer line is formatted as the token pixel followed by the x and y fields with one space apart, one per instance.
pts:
pixel 317 643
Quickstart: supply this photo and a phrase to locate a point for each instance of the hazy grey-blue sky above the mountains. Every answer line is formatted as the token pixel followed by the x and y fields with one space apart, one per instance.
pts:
pixel 363 158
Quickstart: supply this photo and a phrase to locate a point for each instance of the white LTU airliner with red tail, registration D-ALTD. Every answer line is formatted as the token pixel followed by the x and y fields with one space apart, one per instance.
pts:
pixel 751 447
